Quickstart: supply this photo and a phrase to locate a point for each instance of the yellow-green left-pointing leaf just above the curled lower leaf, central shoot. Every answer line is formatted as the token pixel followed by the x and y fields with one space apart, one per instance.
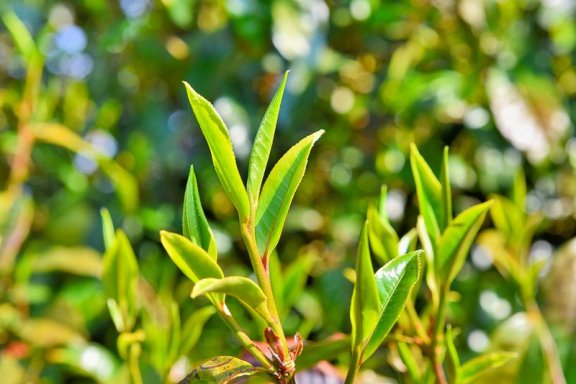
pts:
pixel 192 260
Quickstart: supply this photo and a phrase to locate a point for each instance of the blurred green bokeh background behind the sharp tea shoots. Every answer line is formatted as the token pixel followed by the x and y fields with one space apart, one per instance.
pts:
pixel 493 79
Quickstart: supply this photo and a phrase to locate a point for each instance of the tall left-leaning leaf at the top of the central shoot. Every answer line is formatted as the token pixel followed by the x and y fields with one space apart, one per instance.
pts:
pixel 216 135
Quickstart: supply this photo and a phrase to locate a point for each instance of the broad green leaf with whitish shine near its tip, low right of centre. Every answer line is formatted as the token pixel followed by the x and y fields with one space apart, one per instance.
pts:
pixel 394 282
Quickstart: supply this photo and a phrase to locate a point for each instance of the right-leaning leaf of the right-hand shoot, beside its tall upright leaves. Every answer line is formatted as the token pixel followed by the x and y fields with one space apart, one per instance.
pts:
pixel 457 240
